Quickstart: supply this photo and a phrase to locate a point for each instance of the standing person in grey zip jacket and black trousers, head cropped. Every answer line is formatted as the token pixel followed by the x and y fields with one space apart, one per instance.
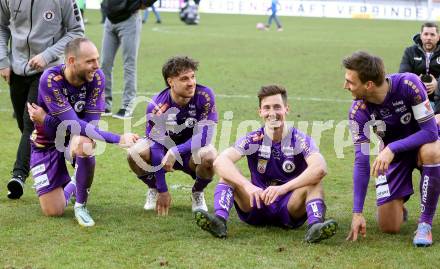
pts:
pixel 37 32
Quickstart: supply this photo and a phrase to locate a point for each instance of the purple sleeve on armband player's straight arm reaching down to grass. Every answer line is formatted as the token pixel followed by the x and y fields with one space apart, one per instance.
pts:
pixel 361 177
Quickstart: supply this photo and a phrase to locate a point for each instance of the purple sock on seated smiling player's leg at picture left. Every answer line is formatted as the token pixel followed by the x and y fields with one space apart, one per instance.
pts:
pixel 223 200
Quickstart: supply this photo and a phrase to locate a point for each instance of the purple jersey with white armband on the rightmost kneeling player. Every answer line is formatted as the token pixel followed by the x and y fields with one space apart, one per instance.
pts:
pixel 394 119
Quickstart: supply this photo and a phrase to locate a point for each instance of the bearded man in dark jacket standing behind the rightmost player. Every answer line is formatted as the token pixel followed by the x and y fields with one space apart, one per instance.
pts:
pixel 423 59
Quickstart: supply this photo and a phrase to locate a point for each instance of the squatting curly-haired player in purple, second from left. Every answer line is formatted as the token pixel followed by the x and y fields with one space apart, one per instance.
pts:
pixel 181 123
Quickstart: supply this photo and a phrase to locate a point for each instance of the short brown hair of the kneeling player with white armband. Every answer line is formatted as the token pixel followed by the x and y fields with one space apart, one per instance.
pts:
pixel 368 67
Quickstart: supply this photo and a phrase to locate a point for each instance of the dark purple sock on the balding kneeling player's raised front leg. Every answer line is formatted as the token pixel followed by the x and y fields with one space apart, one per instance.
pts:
pixel 84 177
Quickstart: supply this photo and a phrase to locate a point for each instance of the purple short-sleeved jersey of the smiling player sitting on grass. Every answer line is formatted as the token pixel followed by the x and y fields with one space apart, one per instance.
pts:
pixel 275 163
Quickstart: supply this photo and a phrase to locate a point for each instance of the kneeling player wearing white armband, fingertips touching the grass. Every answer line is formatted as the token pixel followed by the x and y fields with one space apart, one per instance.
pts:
pixel 397 108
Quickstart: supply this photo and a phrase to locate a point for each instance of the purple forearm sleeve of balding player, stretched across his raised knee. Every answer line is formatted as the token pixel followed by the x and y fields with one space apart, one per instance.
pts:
pixel 87 129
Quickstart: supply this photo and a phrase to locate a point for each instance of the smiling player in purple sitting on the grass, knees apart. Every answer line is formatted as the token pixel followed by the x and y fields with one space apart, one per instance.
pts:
pixel 286 171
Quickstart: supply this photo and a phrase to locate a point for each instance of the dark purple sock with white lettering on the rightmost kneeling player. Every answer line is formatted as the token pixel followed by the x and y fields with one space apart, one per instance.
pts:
pixel 429 192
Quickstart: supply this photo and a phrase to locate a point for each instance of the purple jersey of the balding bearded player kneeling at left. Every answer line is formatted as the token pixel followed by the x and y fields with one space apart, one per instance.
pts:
pixel 56 95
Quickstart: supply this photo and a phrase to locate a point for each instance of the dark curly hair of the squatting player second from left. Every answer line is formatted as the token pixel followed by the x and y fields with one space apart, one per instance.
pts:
pixel 176 65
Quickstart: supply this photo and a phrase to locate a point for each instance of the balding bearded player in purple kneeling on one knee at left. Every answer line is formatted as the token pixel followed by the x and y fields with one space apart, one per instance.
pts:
pixel 72 95
